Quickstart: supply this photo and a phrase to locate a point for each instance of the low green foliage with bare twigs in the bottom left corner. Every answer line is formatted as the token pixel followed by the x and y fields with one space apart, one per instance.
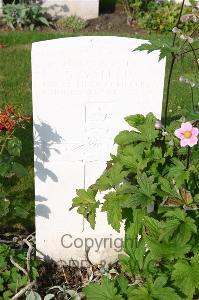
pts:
pixel 12 279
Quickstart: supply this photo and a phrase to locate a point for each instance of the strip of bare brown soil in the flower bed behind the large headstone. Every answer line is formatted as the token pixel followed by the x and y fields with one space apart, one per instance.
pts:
pixel 115 22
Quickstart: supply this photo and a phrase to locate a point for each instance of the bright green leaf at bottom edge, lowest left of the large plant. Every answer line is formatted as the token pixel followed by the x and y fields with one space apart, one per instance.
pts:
pixel 103 291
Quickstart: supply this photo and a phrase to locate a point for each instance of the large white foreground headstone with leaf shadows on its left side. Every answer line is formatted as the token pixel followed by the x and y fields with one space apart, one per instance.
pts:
pixel 83 87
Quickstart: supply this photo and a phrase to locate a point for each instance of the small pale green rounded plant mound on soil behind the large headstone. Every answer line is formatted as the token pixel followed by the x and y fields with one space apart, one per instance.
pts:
pixel 74 23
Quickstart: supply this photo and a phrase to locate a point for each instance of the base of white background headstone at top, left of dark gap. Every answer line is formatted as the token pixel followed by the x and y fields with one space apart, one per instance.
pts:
pixel 86 9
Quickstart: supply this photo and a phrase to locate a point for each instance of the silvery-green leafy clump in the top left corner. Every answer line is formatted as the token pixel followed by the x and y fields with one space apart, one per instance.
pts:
pixel 24 15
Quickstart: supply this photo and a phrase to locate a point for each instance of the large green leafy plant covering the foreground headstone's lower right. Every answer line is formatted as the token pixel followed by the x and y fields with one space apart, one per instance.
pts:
pixel 150 187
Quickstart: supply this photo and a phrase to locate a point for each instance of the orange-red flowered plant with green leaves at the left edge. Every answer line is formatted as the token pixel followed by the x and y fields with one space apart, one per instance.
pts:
pixel 10 166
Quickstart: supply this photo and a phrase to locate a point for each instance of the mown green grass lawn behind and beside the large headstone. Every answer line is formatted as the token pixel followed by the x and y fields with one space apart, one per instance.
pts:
pixel 15 88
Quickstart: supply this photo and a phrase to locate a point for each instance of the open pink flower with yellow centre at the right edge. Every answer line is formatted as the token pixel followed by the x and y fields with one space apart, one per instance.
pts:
pixel 187 134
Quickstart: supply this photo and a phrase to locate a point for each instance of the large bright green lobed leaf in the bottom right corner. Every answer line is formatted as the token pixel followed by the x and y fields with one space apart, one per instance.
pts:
pixel 186 276
